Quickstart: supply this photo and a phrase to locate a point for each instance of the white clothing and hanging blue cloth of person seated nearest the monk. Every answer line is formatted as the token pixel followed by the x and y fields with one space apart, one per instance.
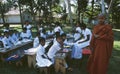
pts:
pixel 77 49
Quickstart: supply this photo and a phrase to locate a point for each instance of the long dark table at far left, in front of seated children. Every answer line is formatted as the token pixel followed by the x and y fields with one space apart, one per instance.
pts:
pixel 5 52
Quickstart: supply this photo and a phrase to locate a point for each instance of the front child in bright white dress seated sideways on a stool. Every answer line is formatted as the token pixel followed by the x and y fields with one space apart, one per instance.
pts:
pixel 41 58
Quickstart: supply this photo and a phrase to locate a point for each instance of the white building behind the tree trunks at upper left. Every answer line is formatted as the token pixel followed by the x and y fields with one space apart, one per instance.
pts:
pixel 13 17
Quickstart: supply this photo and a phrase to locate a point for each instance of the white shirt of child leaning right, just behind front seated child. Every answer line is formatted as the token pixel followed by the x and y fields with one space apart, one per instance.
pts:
pixel 53 50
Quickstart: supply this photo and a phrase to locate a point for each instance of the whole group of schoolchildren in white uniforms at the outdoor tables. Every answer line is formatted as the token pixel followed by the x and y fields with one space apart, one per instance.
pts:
pixel 82 37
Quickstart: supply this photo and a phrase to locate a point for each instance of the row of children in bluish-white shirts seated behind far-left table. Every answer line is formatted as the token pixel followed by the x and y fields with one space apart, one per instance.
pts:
pixel 11 37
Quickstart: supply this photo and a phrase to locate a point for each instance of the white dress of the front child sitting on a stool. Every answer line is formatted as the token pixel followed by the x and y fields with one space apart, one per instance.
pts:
pixel 42 62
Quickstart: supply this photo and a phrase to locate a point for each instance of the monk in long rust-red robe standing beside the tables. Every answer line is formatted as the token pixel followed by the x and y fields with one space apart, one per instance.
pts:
pixel 101 45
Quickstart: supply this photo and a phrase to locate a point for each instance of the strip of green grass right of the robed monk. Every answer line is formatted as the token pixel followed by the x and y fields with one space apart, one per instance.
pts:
pixel 114 65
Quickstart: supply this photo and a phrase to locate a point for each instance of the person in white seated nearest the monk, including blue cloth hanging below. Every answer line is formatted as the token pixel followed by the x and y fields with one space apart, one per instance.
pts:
pixel 82 42
